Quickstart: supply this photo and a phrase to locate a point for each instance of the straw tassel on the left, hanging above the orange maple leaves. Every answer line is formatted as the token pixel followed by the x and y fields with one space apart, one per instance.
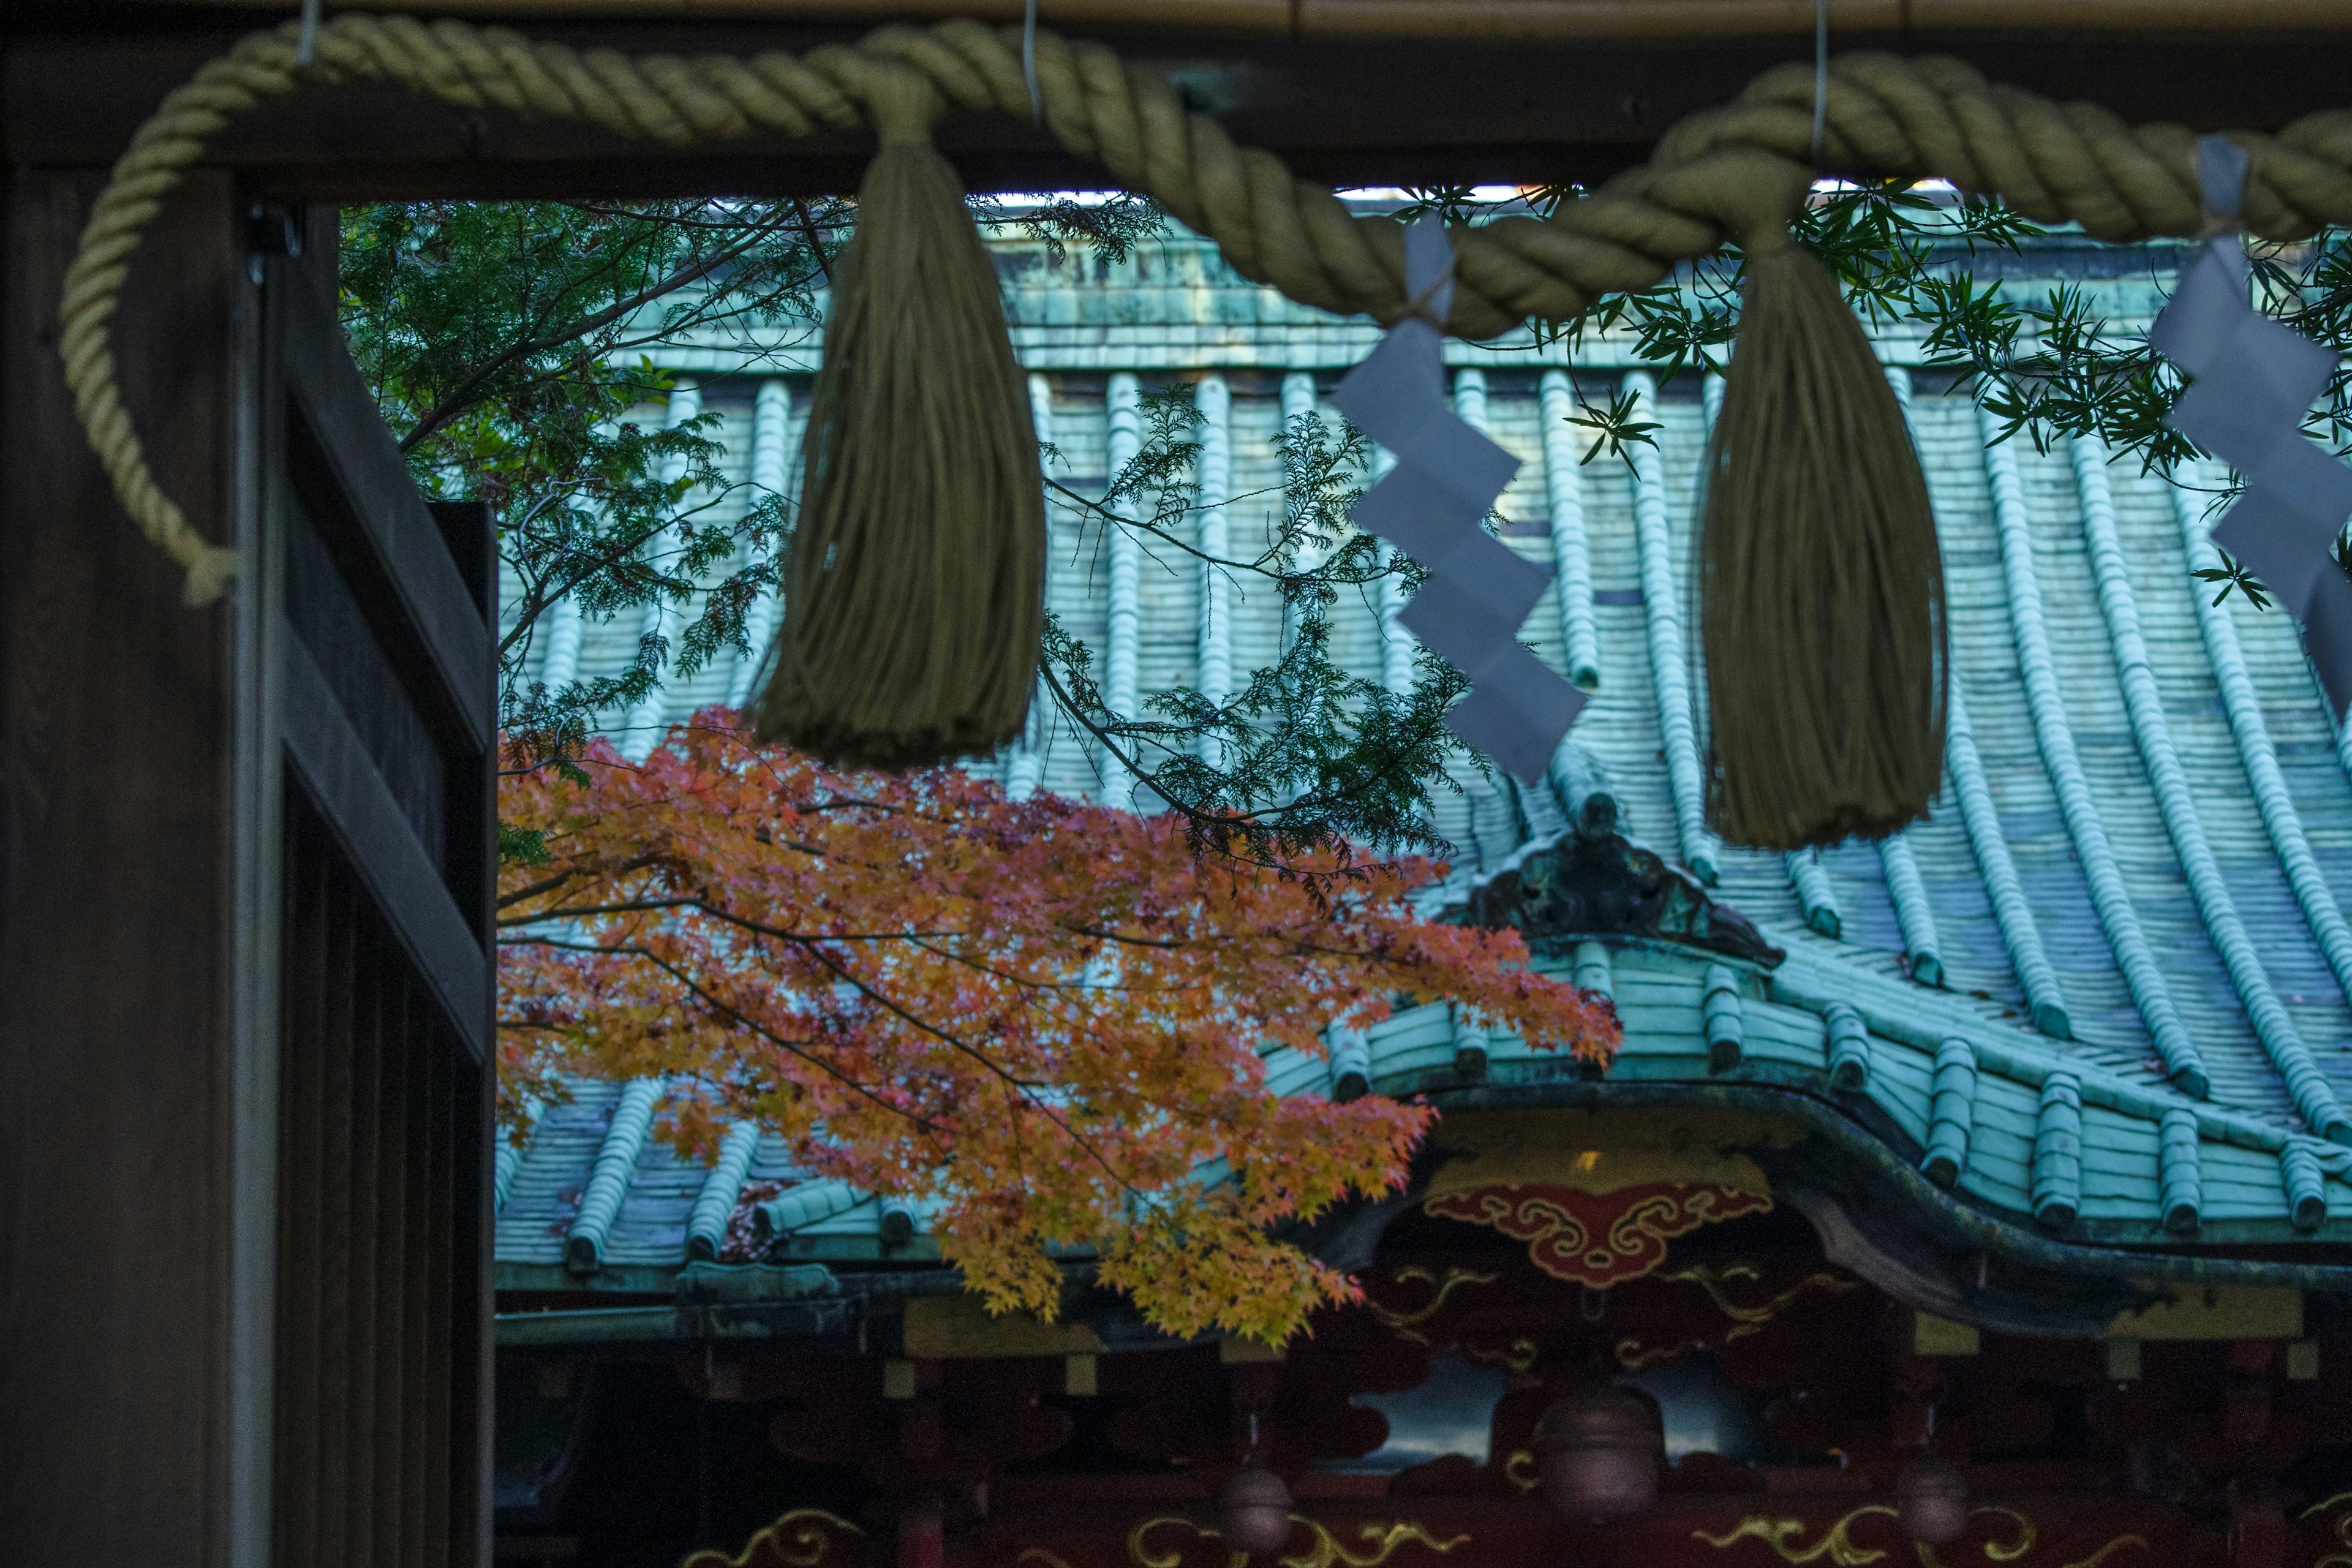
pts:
pixel 914 589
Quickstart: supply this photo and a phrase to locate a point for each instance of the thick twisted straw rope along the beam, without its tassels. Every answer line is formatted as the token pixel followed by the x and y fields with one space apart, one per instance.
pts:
pixel 1735 170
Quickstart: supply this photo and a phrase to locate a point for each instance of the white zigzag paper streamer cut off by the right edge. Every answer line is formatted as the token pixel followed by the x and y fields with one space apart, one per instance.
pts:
pixel 2252 387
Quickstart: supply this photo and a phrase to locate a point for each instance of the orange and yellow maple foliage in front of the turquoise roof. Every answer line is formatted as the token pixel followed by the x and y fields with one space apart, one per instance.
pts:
pixel 1043 1019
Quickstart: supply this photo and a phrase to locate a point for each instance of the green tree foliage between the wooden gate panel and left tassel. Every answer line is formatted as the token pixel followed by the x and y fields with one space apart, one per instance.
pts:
pixel 509 351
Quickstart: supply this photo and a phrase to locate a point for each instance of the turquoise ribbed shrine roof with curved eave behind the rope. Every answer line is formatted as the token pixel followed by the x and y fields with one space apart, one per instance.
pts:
pixel 2097 996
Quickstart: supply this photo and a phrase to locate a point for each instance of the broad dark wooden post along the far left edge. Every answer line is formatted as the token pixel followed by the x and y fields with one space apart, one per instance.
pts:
pixel 116 1071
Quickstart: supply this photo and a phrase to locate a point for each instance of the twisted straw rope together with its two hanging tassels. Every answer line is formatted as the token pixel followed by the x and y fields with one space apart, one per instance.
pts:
pixel 914 582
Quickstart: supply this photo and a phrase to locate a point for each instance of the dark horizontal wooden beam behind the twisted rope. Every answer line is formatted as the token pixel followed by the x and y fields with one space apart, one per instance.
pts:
pixel 1349 112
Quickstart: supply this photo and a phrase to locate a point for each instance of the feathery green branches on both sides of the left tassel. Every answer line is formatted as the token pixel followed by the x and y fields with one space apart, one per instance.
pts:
pixel 509 349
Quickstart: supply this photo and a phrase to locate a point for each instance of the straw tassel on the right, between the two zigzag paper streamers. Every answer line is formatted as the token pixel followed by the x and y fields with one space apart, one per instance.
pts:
pixel 1819 579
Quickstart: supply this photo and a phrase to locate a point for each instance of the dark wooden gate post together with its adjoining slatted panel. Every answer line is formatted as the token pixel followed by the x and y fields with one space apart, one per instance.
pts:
pixel 246 1301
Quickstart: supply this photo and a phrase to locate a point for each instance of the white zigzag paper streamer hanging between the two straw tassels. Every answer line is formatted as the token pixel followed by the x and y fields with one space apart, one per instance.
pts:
pixel 1434 504
